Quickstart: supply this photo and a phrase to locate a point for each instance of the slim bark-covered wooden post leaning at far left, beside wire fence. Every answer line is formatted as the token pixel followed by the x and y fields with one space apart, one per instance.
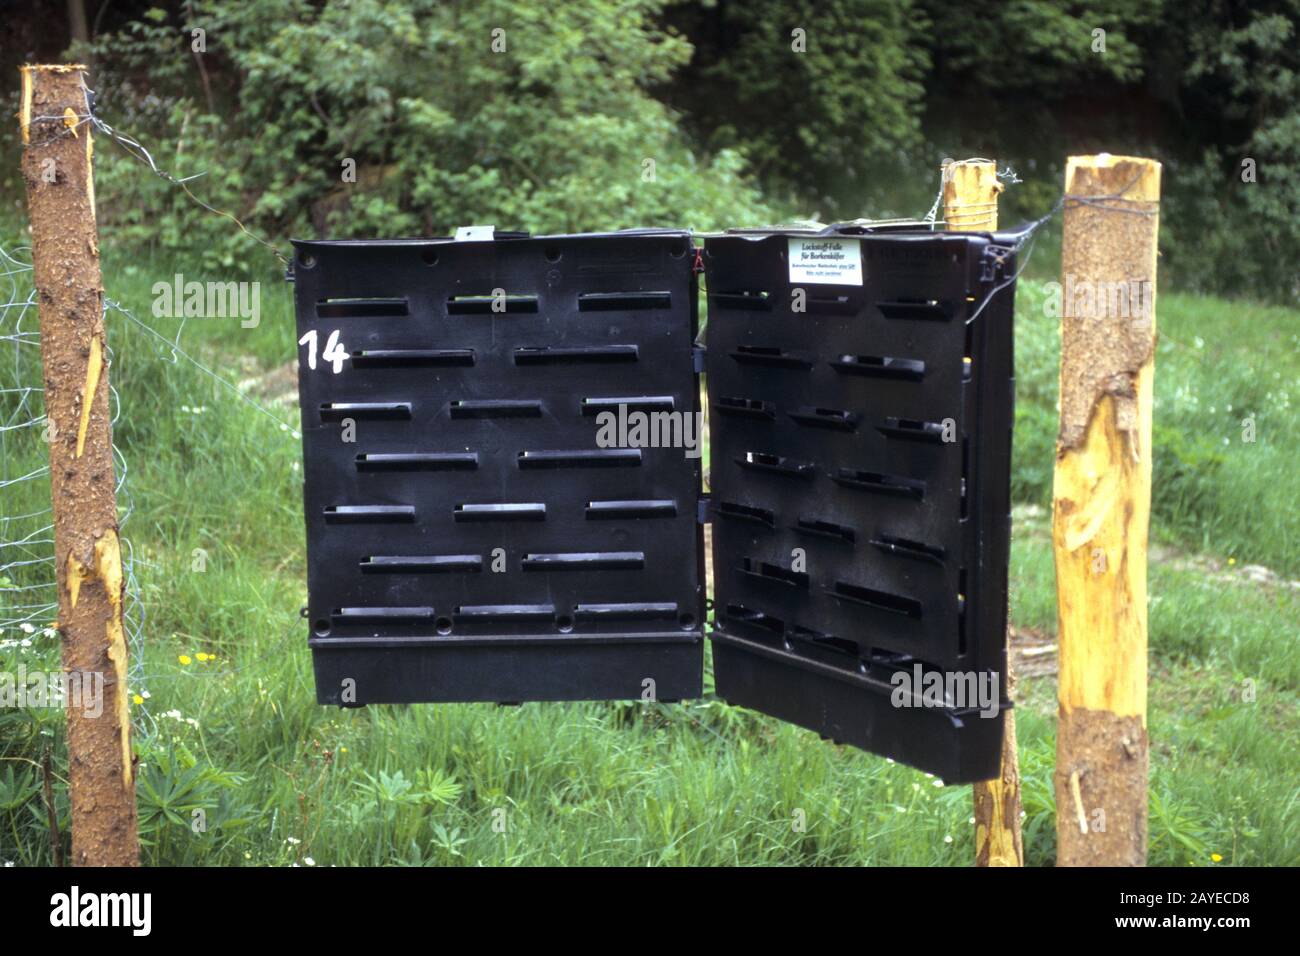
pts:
pixel 58 167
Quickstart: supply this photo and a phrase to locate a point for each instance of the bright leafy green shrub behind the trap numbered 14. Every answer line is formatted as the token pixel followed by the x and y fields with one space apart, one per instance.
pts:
pixel 495 113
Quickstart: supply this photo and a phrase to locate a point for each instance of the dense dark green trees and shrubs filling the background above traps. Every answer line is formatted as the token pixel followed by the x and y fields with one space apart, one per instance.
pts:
pixel 548 116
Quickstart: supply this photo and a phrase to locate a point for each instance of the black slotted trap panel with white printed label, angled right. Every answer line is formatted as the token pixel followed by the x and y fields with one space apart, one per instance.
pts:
pixel 870 434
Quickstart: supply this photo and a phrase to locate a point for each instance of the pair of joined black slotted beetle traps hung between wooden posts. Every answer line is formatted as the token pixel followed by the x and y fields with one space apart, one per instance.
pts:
pixel 470 539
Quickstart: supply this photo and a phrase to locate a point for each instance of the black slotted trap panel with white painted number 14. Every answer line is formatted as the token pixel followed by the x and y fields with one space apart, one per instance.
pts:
pixel 474 375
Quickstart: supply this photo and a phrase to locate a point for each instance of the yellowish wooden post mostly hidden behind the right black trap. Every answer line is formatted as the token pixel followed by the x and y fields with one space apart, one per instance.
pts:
pixel 970 205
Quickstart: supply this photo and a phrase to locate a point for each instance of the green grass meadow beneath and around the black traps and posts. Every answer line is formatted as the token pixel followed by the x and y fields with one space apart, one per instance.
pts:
pixel 281 780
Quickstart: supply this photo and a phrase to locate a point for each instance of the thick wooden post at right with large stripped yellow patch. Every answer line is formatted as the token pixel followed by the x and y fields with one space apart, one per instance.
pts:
pixel 1102 508
